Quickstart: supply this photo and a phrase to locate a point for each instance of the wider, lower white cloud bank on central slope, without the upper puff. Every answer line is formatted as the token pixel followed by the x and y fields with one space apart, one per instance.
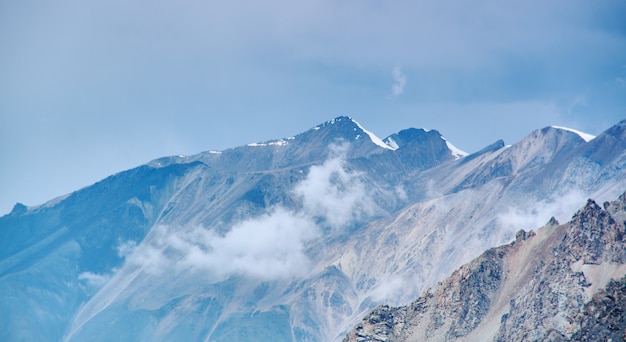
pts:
pixel 266 247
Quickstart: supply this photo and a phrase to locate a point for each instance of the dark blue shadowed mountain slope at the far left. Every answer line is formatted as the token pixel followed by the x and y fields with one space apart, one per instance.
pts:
pixel 45 250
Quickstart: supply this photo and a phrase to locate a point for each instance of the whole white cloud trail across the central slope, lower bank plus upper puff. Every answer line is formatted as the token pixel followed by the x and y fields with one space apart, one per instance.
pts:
pixel 268 247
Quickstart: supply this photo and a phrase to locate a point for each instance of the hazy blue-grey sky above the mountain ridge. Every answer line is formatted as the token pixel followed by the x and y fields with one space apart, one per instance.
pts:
pixel 91 88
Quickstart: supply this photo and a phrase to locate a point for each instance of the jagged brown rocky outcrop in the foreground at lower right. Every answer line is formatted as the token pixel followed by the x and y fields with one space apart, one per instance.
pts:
pixel 562 282
